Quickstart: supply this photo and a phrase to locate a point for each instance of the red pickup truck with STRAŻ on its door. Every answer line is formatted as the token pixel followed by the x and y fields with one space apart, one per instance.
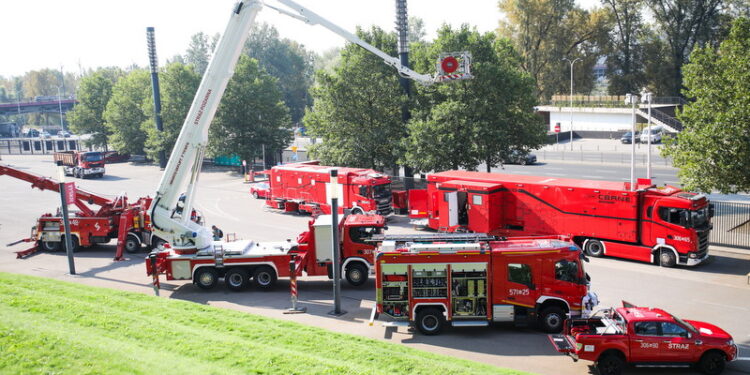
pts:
pixel 645 337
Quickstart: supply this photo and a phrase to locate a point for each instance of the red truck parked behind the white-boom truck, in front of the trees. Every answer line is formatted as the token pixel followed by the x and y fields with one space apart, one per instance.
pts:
pixel 306 187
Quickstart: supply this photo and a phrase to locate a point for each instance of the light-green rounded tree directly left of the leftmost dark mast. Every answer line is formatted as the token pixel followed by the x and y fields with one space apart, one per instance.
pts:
pixel 124 113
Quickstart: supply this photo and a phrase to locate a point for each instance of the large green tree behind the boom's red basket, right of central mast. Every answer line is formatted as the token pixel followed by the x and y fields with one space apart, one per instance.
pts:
pixel 471 122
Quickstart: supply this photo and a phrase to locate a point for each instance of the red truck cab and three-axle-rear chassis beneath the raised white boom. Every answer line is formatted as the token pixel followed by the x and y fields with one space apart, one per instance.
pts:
pixel 237 262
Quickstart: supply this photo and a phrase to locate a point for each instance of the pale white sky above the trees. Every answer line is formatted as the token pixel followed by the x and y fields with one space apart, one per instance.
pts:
pixel 75 34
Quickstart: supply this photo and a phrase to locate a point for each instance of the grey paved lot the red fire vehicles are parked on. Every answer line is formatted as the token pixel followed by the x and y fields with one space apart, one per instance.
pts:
pixel 717 292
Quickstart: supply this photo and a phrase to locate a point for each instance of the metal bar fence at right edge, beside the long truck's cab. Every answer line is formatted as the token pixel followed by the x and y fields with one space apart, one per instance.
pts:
pixel 731 225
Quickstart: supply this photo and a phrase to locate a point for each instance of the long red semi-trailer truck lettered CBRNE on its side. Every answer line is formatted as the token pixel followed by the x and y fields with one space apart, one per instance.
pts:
pixel 659 225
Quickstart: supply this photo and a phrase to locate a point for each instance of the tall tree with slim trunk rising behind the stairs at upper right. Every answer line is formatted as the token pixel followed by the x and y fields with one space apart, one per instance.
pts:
pixel 686 24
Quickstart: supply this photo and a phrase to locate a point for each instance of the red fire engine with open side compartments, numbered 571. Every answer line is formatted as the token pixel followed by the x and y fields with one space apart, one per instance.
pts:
pixel 476 283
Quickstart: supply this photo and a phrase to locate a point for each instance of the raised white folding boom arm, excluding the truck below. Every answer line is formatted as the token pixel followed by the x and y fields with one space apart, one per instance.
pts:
pixel 184 165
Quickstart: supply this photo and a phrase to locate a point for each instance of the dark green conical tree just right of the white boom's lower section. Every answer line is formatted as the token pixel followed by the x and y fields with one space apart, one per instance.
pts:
pixel 251 114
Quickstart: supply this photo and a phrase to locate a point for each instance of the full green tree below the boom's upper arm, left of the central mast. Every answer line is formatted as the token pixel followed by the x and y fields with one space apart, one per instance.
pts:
pixel 357 108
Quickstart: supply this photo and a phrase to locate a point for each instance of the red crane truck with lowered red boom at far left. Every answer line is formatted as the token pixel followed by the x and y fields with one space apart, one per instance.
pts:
pixel 115 218
